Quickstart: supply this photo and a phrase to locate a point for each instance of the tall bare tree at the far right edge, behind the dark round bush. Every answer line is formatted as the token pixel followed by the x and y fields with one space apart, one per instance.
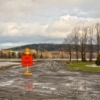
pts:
pixel 97 27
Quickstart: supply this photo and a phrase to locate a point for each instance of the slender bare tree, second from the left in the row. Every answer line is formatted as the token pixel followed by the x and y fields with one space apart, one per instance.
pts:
pixel 75 32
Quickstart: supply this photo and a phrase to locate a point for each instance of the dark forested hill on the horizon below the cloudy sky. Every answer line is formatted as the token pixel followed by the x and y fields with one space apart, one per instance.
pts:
pixel 50 47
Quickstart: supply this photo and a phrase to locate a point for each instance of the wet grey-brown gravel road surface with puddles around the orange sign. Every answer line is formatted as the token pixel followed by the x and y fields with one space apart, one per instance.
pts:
pixel 50 81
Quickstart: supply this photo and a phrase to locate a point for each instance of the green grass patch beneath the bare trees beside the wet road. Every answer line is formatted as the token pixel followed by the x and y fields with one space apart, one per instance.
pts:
pixel 81 66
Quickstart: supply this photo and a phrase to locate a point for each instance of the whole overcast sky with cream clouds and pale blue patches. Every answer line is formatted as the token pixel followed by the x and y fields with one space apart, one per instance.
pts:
pixel 43 21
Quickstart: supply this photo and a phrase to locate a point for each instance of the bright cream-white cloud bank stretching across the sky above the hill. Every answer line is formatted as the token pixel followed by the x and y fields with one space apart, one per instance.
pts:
pixel 58 29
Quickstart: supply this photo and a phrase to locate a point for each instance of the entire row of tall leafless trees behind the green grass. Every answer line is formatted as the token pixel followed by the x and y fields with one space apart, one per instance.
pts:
pixel 83 40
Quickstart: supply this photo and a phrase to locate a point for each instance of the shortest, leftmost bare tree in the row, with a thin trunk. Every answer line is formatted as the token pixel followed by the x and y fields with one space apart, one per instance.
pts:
pixel 67 42
